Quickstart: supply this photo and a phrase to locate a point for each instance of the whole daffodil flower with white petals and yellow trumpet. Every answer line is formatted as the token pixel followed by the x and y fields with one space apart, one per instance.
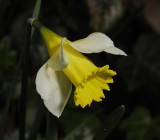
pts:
pixel 67 65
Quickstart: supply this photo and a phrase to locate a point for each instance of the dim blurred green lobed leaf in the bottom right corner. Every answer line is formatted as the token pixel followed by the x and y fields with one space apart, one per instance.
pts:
pixel 141 125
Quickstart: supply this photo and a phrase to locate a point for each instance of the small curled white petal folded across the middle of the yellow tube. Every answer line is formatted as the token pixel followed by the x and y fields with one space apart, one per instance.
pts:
pixel 59 61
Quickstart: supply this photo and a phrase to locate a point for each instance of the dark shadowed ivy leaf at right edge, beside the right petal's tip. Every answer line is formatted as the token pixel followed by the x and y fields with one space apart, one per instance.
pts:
pixel 142 67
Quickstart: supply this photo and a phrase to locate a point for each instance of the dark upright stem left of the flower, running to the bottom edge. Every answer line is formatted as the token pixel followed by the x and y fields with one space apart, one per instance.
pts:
pixel 24 86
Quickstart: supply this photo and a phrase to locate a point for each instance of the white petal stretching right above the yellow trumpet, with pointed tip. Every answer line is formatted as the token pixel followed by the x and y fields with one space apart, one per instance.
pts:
pixel 95 43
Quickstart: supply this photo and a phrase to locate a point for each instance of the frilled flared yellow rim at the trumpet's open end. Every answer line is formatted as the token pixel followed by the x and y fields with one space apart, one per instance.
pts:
pixel 91 88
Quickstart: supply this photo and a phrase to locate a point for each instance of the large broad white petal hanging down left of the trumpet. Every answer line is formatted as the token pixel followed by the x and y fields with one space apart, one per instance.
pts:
pixel 54 88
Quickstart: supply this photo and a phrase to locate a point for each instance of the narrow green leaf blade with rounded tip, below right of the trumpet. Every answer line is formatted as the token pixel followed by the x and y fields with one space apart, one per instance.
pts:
pixel 109 123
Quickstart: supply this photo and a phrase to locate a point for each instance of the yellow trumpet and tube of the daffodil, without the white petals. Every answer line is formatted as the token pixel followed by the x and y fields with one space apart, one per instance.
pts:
pixel 88 79
